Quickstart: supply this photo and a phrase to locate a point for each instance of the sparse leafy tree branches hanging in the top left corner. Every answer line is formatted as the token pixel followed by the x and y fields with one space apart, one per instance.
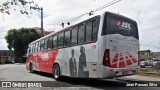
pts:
pixel 24 6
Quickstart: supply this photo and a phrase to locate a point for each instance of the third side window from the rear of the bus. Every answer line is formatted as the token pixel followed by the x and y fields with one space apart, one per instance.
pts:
pixel 81 31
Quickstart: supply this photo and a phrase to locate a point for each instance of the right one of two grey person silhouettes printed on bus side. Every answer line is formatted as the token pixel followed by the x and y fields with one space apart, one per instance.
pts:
pixel 82 70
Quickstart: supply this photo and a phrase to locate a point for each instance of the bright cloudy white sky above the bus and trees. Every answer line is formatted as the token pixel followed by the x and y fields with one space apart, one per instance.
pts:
pixel 145 12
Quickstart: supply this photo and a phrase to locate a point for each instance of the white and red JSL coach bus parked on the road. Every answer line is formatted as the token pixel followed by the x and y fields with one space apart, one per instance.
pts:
pixel 103 46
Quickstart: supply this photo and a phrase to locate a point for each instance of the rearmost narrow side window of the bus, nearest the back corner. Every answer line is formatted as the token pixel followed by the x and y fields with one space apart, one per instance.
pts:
pixel 95 30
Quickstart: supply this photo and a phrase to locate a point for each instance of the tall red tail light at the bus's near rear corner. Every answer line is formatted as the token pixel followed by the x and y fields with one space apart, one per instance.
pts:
pixel 106 58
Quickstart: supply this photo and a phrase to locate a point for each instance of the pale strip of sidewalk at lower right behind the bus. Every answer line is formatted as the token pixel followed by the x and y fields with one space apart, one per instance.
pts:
pixel 140 78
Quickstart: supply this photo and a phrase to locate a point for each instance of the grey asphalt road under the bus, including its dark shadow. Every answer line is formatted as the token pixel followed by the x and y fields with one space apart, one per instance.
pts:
pixel 18 72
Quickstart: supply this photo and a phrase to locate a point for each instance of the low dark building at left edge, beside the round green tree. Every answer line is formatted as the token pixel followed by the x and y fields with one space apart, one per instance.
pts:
pixel 5 55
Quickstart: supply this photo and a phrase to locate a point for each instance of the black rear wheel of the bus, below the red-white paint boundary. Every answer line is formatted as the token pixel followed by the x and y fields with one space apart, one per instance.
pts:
pixel 56 72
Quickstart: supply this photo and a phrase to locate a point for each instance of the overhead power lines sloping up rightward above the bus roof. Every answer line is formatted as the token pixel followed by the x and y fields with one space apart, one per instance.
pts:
pixel 97 9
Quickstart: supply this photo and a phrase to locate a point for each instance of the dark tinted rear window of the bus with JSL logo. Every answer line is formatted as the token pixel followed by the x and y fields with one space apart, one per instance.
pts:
pixel 123 27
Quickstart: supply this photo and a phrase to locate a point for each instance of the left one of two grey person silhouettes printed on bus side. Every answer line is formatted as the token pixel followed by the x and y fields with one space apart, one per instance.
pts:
pixel 72 65
